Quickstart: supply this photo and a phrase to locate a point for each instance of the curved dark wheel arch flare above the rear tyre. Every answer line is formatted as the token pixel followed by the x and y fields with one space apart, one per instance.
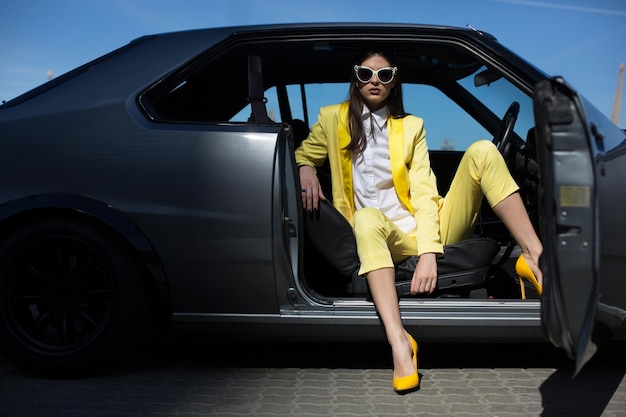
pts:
pixel 34 207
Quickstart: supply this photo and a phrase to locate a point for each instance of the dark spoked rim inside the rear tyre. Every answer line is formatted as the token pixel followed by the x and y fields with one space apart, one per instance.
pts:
pixel 58 294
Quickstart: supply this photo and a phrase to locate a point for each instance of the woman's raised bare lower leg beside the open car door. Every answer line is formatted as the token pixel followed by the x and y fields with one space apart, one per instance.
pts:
pixel 513 214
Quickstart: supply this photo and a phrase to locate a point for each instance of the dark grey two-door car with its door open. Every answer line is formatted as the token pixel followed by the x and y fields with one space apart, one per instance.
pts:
pixel 156 188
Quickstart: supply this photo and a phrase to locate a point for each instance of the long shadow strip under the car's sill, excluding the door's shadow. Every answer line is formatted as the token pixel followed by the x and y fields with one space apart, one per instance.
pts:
pixel 372 355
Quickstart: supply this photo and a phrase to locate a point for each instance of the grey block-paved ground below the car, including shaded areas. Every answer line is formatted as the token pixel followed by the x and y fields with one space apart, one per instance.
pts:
pixel 190 376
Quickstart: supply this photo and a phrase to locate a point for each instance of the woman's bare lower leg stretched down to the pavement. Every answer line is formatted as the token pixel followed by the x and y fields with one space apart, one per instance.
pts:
pixel 383 288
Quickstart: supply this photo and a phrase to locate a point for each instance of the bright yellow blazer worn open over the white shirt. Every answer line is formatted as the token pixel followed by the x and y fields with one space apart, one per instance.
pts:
pixel 414 181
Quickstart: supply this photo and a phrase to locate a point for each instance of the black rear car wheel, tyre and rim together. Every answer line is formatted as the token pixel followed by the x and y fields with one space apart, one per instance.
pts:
pixel 71 297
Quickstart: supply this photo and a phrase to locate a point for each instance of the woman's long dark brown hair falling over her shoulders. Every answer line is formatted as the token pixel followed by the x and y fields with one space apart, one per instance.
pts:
pixel 394 102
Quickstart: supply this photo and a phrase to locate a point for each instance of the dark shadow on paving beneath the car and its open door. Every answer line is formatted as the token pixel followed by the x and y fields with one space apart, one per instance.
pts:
pixel 562 395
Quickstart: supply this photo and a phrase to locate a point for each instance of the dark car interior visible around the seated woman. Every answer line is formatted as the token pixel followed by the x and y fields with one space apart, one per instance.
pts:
pixel 461 97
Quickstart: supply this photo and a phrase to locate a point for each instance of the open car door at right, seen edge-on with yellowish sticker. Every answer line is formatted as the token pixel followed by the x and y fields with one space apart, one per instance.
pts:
pixel 571 304
